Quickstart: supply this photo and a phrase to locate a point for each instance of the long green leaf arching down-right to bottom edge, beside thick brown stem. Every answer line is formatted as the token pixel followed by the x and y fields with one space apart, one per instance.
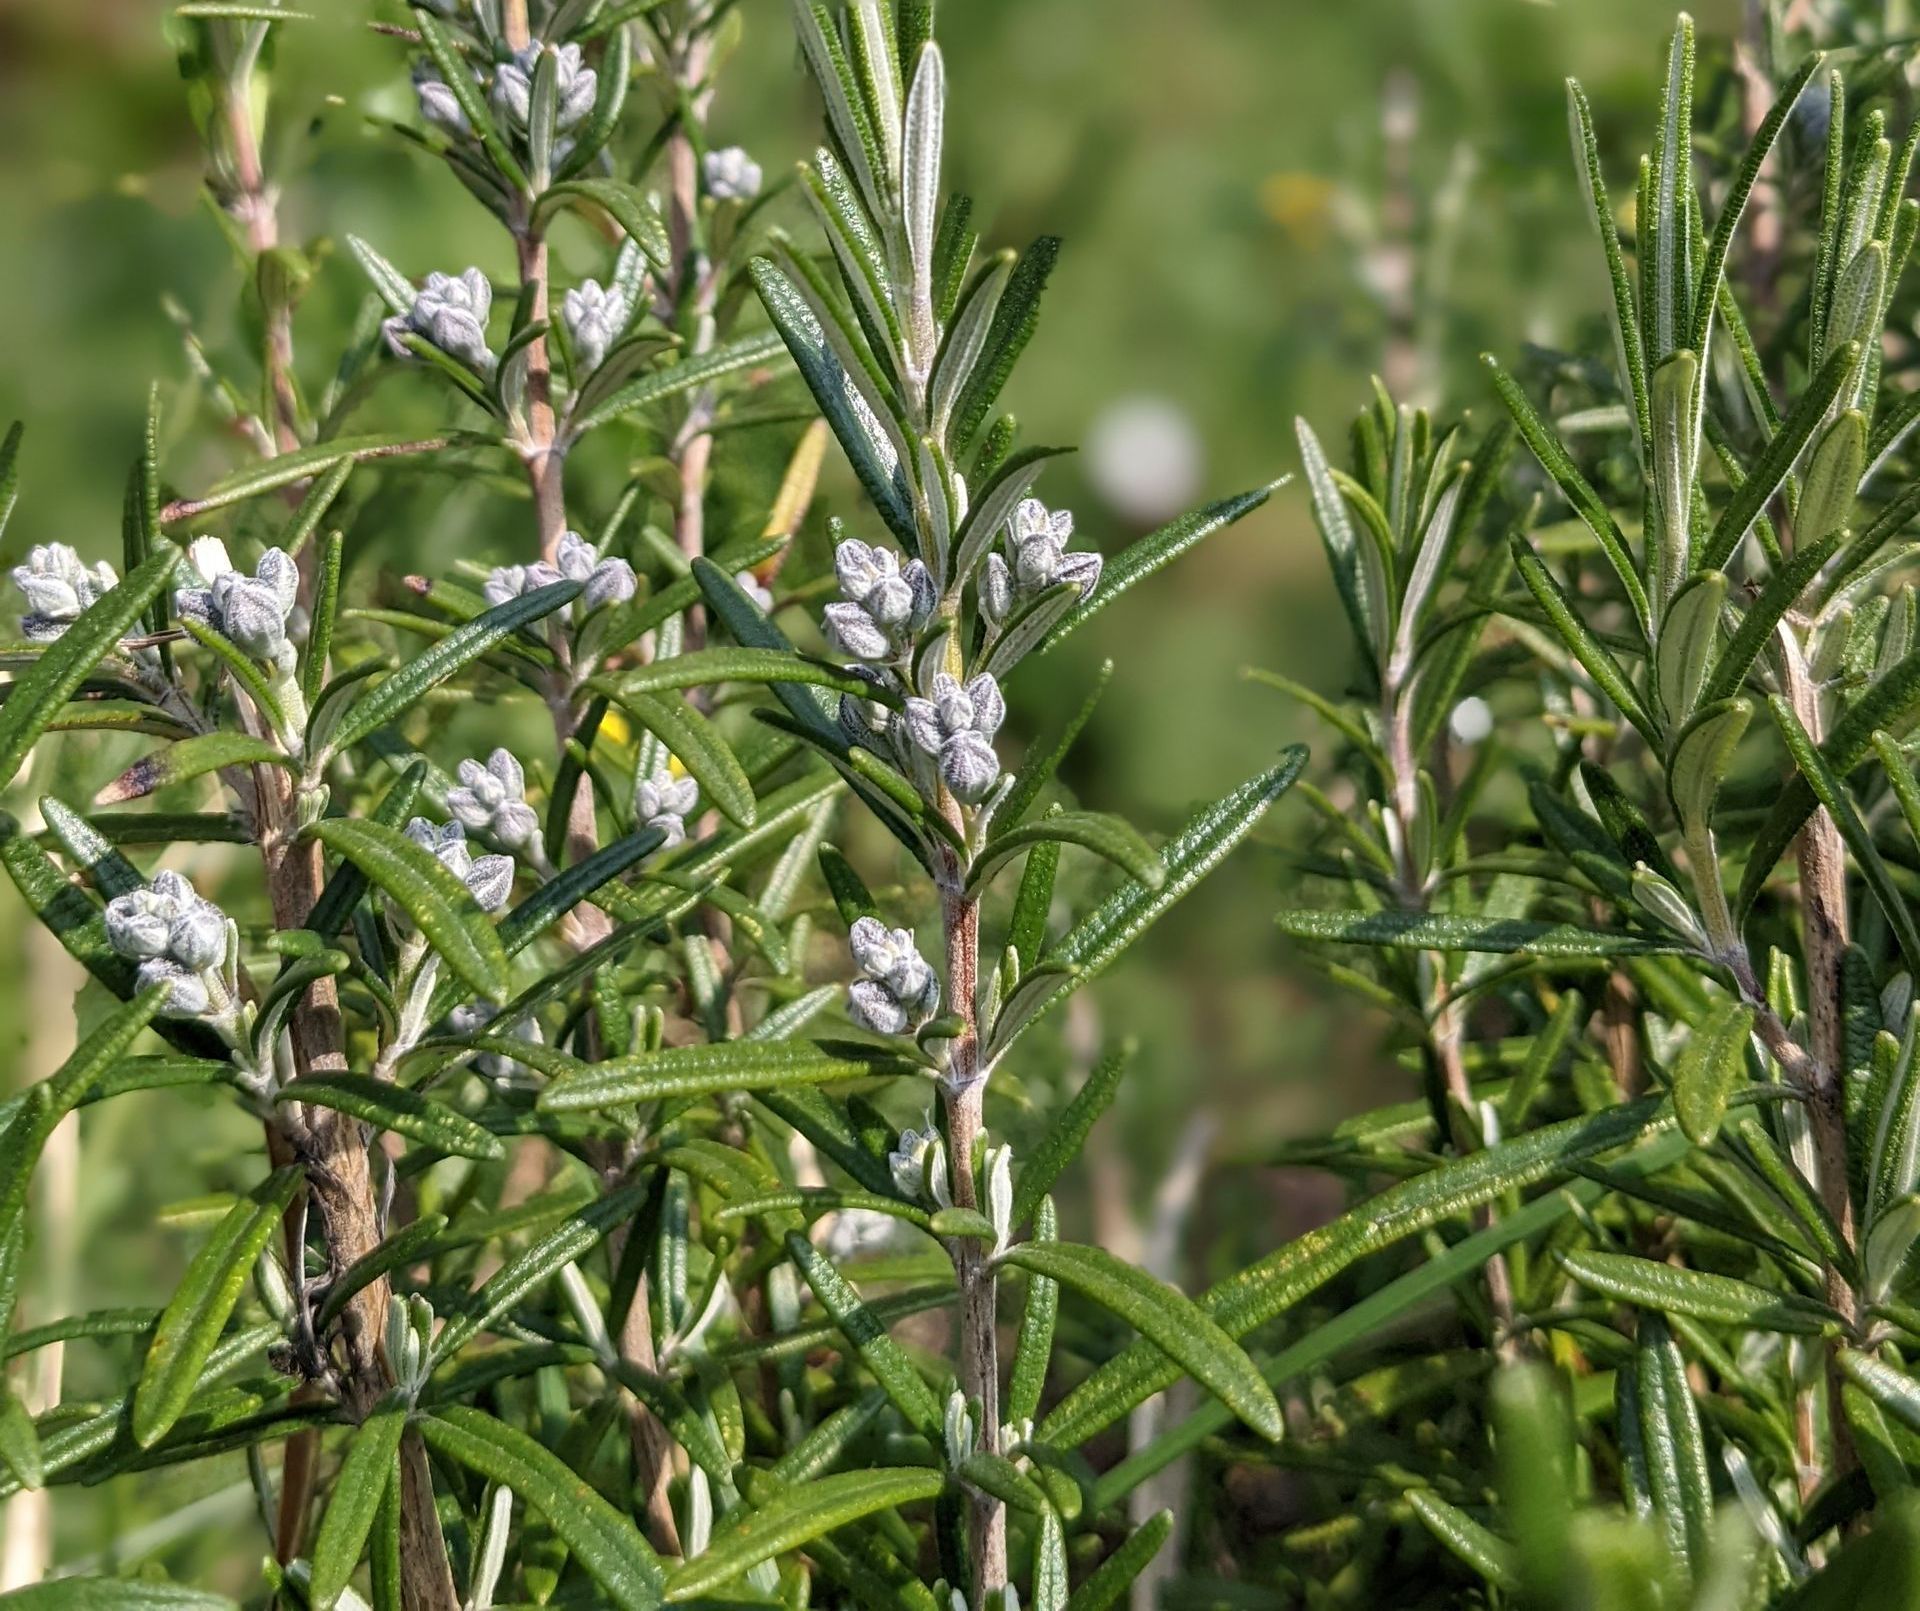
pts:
pixel 604 1543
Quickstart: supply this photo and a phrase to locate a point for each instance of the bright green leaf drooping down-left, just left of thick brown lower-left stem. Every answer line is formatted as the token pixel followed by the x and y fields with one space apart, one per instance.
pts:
pixel 203 1303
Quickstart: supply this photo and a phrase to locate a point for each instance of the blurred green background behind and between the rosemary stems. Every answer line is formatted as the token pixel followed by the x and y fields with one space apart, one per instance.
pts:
pixel 1264 203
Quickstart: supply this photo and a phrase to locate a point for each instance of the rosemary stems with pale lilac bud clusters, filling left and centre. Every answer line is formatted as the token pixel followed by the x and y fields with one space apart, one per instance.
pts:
pixel 546 1280
